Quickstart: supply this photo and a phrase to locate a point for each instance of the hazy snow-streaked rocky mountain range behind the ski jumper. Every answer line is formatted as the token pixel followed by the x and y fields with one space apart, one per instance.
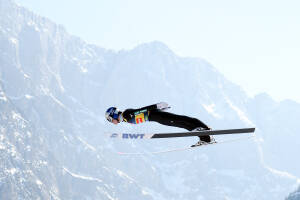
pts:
pixel 55 88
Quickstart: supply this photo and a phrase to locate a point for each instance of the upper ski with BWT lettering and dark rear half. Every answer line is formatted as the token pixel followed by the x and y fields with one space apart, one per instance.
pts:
pixel 180 134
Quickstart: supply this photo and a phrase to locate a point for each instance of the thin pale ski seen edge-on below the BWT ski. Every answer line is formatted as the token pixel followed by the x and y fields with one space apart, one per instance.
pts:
pixel 182 149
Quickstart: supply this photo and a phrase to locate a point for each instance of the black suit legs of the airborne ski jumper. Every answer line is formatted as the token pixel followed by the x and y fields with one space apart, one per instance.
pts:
pixel 181 121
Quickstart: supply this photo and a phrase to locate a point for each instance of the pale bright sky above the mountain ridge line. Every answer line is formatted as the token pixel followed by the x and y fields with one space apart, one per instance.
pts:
pixel 254 43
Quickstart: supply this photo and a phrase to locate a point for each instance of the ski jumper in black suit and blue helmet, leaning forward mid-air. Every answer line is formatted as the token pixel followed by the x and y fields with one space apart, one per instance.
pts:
pixel 156 113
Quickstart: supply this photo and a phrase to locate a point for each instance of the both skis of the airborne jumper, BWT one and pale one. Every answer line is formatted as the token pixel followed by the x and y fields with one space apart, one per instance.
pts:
pixel 138 136
